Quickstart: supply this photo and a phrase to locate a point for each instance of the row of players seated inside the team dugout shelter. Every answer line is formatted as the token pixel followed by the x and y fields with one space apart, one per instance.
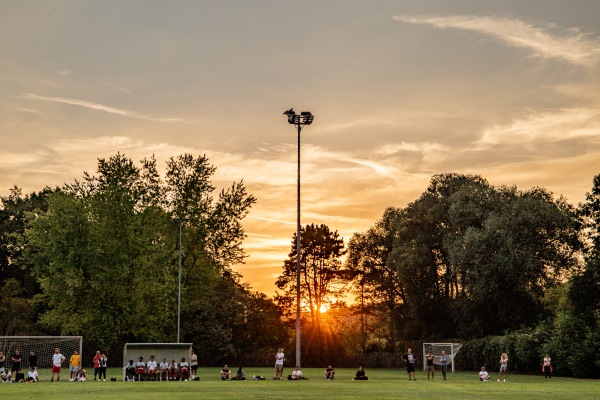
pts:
pixel 153 371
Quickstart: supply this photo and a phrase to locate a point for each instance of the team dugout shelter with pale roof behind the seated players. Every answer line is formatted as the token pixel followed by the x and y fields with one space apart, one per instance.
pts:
pixel 170 351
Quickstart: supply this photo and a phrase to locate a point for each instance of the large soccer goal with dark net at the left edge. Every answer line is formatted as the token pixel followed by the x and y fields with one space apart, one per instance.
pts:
pixel 42 347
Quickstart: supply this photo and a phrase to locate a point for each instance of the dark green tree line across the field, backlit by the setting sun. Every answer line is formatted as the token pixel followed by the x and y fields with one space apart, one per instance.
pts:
pixel 489 266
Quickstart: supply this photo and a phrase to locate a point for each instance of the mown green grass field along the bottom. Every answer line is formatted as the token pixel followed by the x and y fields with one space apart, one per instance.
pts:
pixel 382 384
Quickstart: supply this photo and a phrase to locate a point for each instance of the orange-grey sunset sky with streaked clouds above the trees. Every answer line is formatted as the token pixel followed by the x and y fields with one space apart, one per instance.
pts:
pixel 400 90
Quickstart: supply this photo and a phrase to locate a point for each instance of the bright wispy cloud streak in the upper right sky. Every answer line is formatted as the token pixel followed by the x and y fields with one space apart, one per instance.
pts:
pixel 572 46
